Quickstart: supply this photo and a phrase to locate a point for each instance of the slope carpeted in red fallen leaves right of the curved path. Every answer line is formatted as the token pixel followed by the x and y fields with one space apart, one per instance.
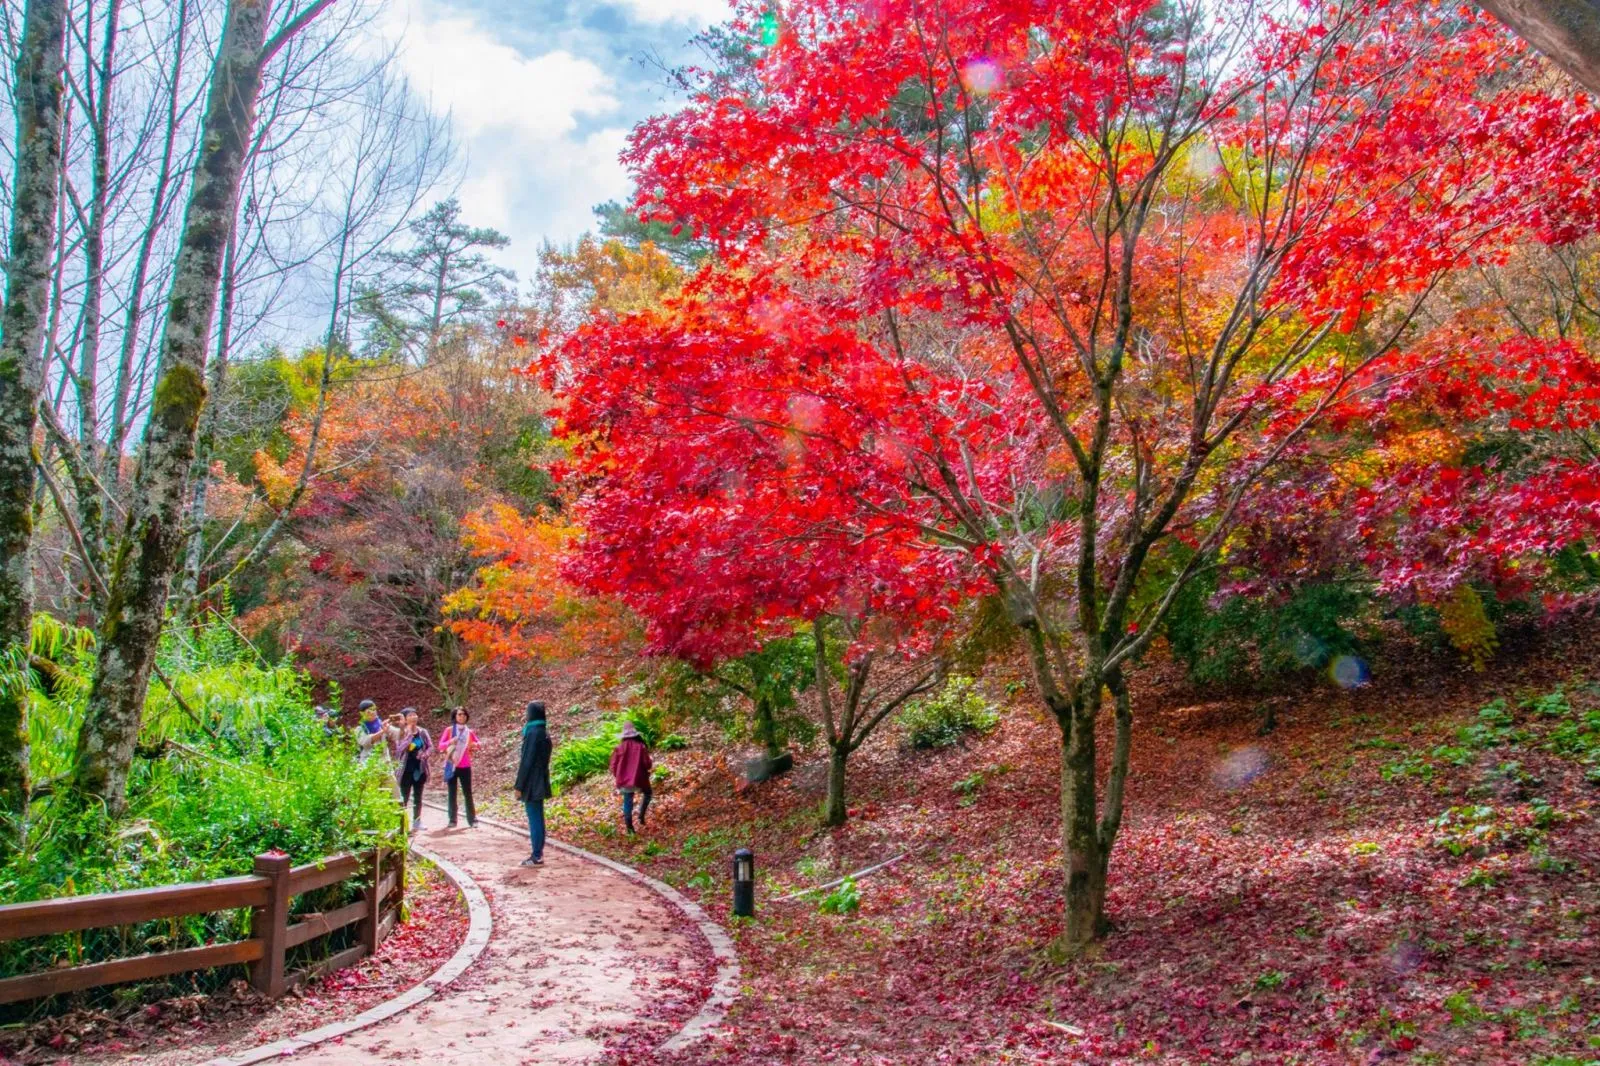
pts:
pixel 1361 886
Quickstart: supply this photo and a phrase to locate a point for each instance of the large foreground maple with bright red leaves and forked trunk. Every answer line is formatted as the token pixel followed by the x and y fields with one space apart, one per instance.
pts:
pixel 1044 292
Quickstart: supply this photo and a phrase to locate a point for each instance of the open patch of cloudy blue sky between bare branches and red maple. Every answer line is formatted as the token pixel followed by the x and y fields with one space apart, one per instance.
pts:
pixel 543 95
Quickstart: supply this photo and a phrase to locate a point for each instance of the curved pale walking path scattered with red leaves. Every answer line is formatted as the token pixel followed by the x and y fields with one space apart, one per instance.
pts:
pixel 577 956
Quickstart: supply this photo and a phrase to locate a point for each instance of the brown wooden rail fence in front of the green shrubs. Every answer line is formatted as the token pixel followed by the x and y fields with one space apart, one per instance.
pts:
pixel 268 894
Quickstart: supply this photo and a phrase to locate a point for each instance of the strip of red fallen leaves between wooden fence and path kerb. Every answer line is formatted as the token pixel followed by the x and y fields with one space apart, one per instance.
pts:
pixel 198 1027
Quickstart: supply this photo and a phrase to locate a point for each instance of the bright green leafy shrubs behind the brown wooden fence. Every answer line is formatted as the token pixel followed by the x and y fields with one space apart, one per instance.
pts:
pixel 254 772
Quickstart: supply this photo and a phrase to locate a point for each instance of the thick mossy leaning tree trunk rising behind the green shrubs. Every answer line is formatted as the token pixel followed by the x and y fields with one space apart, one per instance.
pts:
pixel 148 553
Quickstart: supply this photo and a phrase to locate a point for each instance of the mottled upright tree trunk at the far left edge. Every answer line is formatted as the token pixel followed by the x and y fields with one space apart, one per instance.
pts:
pixel 36 190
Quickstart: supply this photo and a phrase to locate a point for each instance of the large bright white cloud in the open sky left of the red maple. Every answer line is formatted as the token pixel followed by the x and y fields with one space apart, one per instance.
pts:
pixel 530 172
